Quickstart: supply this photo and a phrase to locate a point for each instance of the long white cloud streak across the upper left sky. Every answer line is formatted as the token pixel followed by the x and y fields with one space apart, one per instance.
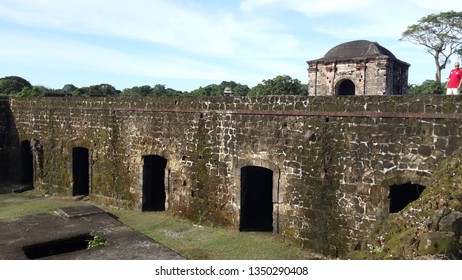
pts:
pixel 164 22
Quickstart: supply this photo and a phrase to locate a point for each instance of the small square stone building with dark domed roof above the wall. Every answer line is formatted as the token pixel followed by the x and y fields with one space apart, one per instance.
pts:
pixel 358 68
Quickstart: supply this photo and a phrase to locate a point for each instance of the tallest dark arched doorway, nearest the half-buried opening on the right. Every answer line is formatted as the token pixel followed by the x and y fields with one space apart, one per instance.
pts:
pixel 256 199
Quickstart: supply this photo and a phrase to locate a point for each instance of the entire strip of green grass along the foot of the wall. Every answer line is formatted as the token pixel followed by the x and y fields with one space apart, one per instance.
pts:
pixel 190 240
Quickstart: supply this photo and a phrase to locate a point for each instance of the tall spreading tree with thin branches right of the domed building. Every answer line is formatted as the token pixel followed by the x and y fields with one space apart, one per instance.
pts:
pixel 441 34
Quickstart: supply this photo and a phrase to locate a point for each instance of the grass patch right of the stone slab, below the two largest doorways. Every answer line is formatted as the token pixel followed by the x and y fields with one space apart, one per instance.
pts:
pixel 208 243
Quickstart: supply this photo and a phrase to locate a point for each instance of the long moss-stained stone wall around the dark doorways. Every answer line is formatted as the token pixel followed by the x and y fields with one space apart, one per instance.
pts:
pixel 333 158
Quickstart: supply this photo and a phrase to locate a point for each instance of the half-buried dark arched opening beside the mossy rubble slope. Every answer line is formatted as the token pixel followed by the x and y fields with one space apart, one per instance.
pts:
pixel 401 195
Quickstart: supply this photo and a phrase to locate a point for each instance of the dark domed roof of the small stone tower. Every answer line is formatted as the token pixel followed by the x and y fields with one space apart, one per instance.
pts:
pixel 357 49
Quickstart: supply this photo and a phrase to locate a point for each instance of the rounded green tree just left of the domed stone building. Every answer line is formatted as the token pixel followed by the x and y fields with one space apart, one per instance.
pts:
pixel 280 85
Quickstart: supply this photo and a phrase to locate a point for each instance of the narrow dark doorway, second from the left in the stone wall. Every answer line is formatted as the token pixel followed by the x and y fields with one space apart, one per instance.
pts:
pixel 80 171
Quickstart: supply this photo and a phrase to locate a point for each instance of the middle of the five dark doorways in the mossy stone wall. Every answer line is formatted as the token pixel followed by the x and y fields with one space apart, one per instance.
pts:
pixel 154 195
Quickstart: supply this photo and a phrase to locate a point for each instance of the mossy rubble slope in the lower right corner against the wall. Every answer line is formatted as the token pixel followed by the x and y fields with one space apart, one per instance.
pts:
pixel 428 228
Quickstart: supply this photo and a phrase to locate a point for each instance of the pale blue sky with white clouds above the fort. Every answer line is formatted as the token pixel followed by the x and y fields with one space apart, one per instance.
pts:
pixel 185 44
